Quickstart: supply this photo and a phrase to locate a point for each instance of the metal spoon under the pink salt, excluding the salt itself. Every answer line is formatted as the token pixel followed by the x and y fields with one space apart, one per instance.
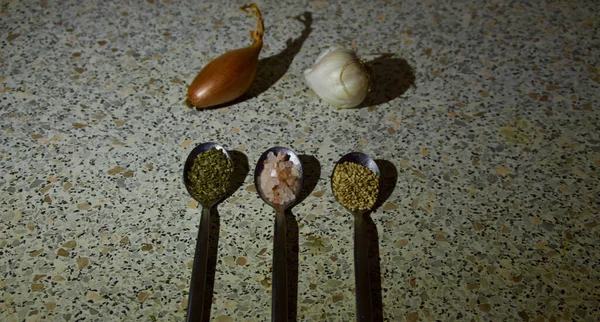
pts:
pixel 279 307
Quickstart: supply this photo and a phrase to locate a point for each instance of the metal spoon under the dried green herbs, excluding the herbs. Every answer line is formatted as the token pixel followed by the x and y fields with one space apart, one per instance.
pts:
pixel 196 297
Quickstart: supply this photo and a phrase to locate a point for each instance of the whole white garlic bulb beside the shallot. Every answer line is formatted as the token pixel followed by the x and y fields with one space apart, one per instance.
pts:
pixel 339 78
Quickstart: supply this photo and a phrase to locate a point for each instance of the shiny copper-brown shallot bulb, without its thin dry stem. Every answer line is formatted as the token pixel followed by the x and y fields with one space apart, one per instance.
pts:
pixel 225 78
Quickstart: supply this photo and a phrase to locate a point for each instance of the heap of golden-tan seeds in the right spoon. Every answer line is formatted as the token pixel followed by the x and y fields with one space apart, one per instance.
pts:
pixel 355 186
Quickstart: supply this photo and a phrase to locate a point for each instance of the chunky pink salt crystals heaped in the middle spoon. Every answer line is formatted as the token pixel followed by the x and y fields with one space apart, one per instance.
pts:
pixel 279 178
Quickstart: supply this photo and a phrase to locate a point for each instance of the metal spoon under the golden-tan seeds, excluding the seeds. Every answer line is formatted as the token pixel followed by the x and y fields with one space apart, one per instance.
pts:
pixel 364 302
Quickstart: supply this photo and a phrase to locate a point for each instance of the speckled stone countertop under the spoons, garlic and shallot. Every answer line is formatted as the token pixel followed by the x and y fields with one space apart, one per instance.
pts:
pixel 494 217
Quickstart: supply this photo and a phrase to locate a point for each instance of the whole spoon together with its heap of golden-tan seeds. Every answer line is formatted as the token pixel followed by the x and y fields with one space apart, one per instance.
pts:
pixel 355 183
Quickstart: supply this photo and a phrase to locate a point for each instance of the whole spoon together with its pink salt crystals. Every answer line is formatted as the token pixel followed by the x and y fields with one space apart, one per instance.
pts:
pixel 278 179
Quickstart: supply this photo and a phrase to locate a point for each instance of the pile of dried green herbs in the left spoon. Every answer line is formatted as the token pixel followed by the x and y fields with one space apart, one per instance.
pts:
pixel 210 174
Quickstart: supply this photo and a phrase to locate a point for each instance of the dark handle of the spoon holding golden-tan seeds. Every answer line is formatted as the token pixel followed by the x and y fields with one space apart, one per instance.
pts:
pixel 364 306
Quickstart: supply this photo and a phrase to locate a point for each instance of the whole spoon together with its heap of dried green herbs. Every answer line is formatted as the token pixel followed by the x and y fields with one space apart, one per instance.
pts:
pixel 207 177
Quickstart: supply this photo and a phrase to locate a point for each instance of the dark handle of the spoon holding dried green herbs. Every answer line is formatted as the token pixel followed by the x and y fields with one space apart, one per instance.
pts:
pixel 196 297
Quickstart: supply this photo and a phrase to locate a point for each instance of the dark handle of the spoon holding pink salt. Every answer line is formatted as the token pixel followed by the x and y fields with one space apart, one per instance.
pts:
pixel 279 311
